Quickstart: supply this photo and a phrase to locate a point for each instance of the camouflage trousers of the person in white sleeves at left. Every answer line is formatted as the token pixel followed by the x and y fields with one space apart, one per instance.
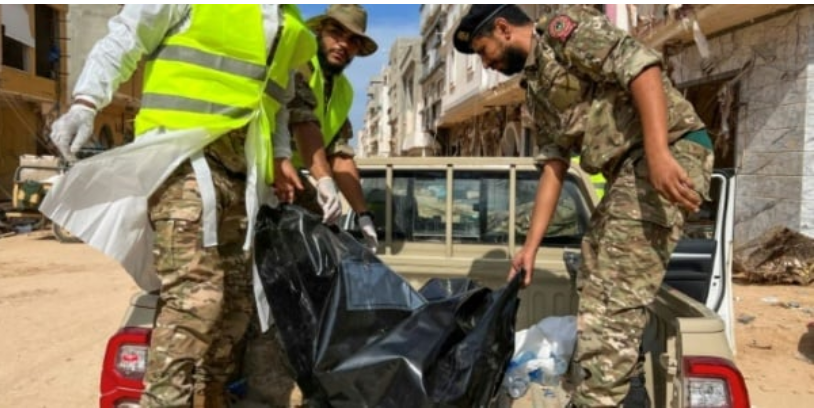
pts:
pixel 206 298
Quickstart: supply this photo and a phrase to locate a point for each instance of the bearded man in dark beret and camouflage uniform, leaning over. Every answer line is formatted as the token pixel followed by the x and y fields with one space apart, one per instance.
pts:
pixel 596 91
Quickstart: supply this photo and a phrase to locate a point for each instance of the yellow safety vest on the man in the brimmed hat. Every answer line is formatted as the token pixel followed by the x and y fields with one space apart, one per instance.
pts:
pixel 333 116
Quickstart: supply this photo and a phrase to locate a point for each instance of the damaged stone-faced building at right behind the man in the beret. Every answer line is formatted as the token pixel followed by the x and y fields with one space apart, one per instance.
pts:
pixel 749 70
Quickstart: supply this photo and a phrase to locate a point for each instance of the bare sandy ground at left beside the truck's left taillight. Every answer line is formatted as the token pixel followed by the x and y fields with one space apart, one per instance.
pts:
pixel 58 305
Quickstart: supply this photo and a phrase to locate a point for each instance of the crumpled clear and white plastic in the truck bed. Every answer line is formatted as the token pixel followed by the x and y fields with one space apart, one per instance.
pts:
pixel 541 354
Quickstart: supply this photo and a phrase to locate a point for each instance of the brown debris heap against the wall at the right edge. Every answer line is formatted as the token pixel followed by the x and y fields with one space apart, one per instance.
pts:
pixel 780 256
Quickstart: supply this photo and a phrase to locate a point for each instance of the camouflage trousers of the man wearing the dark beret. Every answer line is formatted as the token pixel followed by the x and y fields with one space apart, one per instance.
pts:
pixel 632 235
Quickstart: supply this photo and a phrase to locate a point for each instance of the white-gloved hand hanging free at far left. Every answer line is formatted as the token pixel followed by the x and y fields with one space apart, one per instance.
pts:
pixel 75 126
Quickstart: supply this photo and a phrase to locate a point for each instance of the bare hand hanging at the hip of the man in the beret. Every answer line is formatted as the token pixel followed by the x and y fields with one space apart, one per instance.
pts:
pixel 672 182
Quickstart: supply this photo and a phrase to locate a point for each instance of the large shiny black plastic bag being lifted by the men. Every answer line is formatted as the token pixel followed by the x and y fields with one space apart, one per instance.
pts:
pixel 358 335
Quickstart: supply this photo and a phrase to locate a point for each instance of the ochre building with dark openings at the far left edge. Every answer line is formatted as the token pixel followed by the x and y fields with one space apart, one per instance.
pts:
pixel 33 72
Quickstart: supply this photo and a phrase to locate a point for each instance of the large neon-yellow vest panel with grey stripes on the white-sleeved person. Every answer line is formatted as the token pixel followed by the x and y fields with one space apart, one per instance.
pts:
pixel 206 76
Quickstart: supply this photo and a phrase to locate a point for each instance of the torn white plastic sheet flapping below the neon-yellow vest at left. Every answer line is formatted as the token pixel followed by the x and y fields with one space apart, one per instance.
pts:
pixel 103 199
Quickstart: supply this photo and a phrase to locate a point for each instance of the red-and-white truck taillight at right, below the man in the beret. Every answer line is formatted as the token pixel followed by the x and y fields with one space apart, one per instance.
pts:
pixel 712 382
